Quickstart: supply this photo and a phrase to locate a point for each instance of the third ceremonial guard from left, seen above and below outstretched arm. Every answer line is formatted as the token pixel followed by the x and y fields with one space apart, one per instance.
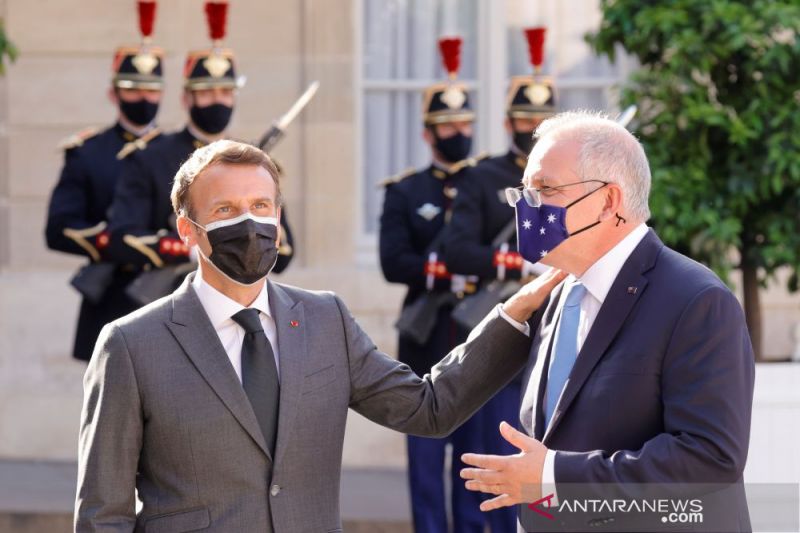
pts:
pixel 415 213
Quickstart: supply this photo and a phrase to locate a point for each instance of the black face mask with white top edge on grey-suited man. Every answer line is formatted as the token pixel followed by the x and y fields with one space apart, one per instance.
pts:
pixel 244 248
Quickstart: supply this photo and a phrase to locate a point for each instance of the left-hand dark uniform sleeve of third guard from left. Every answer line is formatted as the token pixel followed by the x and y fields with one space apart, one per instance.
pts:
pixel 400 262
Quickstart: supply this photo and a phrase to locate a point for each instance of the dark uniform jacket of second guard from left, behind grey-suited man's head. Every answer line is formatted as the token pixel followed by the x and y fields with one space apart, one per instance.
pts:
pixel 142 208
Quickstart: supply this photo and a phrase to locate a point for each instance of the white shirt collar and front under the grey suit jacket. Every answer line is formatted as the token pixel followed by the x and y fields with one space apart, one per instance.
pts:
pixel 220 309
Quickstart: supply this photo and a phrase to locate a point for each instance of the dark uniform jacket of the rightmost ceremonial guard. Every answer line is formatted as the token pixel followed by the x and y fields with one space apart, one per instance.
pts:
pixel 480 212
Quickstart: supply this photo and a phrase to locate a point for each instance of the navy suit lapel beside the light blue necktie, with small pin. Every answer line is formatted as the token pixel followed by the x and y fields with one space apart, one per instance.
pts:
pixel 622 297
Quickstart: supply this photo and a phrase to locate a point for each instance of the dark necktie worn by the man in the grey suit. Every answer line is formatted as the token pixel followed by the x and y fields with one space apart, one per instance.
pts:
pixel 260 374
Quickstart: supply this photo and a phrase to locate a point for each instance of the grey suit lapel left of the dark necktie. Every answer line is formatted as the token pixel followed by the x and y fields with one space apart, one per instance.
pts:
pixel 193 330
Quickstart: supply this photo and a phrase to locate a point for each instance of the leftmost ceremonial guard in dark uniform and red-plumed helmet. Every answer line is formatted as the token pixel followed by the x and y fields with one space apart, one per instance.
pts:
pixel 77 215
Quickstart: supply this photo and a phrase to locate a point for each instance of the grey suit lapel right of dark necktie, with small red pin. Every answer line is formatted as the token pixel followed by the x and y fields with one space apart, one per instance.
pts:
pixel 291 327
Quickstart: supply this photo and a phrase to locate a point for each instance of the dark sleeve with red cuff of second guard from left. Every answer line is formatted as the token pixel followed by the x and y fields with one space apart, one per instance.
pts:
pixel 133 241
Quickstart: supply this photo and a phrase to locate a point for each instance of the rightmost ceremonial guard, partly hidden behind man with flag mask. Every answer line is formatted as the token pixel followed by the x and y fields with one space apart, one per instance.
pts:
pixel 481 238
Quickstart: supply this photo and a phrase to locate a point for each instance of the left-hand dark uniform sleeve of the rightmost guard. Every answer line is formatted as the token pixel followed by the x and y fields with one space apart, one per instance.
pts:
pixel 464 252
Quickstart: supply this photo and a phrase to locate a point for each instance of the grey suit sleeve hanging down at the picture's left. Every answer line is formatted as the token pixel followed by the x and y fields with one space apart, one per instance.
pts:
pixel 110 439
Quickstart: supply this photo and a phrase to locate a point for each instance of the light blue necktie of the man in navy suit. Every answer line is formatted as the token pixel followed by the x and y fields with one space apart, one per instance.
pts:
pixel 565 350
